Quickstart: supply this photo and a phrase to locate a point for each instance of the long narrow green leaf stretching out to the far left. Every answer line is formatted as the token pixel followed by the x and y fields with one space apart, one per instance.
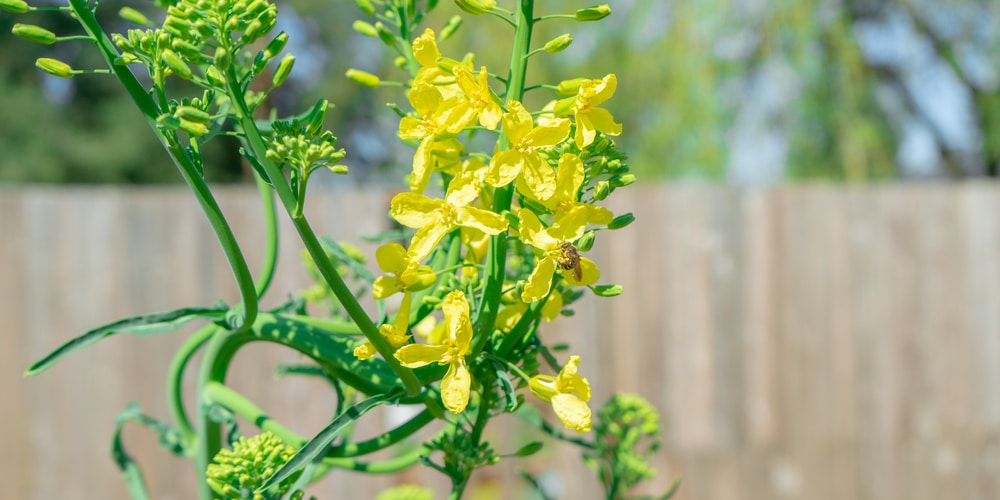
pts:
pixel 147 324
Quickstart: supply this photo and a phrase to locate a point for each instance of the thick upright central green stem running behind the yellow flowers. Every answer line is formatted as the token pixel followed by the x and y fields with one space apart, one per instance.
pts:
pixel 496 256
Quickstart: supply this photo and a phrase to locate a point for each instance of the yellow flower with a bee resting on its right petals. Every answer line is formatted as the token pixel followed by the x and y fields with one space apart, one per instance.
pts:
pixel 558 252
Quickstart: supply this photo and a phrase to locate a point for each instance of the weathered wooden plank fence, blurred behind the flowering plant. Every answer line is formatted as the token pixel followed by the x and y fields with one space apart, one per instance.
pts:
pixel 804 343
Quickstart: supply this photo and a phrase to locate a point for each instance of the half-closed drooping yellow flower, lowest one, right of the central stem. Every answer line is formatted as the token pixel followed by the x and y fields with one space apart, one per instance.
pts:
pixel 568 393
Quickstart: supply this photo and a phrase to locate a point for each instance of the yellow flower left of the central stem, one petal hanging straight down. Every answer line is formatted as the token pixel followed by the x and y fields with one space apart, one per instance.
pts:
pixel 456 384
